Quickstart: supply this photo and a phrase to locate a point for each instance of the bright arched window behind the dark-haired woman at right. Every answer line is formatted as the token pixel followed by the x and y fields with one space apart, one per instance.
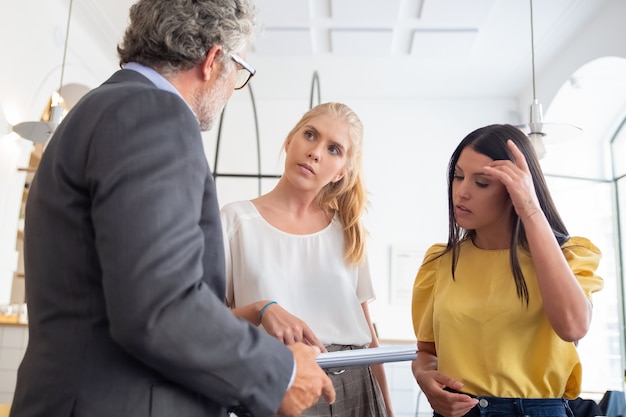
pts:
pixel 585 170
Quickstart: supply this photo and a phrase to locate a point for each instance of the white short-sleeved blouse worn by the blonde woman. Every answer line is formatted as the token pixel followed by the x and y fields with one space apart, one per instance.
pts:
pixel 305 274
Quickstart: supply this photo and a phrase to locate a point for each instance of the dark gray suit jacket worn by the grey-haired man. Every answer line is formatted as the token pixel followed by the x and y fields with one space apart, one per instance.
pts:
pixel 125 273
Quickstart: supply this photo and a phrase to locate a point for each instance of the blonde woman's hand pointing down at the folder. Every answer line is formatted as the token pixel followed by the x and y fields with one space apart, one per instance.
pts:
pixel 288 328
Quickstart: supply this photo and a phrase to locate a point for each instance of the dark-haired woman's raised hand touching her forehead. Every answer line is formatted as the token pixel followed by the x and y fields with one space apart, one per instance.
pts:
pixel 516 177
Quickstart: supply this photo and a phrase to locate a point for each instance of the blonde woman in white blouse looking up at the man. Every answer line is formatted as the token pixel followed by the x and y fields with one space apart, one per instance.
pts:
pixel 296 260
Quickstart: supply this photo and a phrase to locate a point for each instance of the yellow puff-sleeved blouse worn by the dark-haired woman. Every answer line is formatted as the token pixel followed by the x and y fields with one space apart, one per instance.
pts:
pixel 485 335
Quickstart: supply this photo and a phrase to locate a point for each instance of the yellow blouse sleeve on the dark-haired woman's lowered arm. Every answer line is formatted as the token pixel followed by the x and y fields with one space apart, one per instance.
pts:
pixel 423 289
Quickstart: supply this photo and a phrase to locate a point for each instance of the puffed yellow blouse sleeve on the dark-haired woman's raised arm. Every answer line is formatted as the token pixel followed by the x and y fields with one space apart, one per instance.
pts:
pixel 583 258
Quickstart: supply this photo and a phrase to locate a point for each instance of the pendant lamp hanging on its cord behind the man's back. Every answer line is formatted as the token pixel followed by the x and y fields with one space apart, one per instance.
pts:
pixel 41 131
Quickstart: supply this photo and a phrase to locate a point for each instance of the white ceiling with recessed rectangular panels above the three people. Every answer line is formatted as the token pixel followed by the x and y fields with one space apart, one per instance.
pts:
pixel 383 48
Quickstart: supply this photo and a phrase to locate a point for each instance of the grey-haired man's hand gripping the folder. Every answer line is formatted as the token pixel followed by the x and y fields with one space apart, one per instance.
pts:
pixel 309 383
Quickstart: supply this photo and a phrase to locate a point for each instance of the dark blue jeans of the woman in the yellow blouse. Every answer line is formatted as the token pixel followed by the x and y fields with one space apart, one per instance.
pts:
pixel 519 407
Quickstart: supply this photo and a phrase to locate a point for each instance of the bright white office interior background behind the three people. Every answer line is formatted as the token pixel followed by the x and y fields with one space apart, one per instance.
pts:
pixel 421 74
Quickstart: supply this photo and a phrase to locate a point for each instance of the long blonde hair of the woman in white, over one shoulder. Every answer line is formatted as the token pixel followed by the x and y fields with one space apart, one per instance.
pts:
pixel 348 196
